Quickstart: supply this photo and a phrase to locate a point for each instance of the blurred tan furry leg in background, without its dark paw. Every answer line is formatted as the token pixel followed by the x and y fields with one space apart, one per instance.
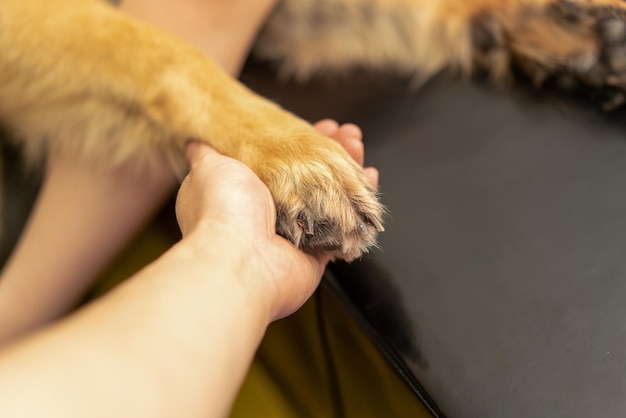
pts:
pixel 414 37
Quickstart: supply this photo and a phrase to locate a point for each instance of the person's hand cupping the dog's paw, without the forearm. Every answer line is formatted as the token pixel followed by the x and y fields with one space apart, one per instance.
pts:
pixel 226 205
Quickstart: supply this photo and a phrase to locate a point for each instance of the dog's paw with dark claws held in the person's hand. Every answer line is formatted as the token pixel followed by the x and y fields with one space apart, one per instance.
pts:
pixel 324 202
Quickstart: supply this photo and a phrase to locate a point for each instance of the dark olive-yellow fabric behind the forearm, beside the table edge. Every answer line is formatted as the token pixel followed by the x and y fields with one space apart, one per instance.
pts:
pixel 297 372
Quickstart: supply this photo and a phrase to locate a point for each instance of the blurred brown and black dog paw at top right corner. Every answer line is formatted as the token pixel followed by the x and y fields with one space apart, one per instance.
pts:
pixel 577 44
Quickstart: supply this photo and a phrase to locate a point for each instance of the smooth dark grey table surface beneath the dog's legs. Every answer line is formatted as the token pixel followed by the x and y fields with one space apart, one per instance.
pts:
pixel 501 277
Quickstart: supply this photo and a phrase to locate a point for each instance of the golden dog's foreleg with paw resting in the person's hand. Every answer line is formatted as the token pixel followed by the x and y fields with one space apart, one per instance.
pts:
pixel 92 83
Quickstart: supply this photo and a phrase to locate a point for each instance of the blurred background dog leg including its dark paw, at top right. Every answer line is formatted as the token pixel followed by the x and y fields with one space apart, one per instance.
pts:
pixel 578 43
